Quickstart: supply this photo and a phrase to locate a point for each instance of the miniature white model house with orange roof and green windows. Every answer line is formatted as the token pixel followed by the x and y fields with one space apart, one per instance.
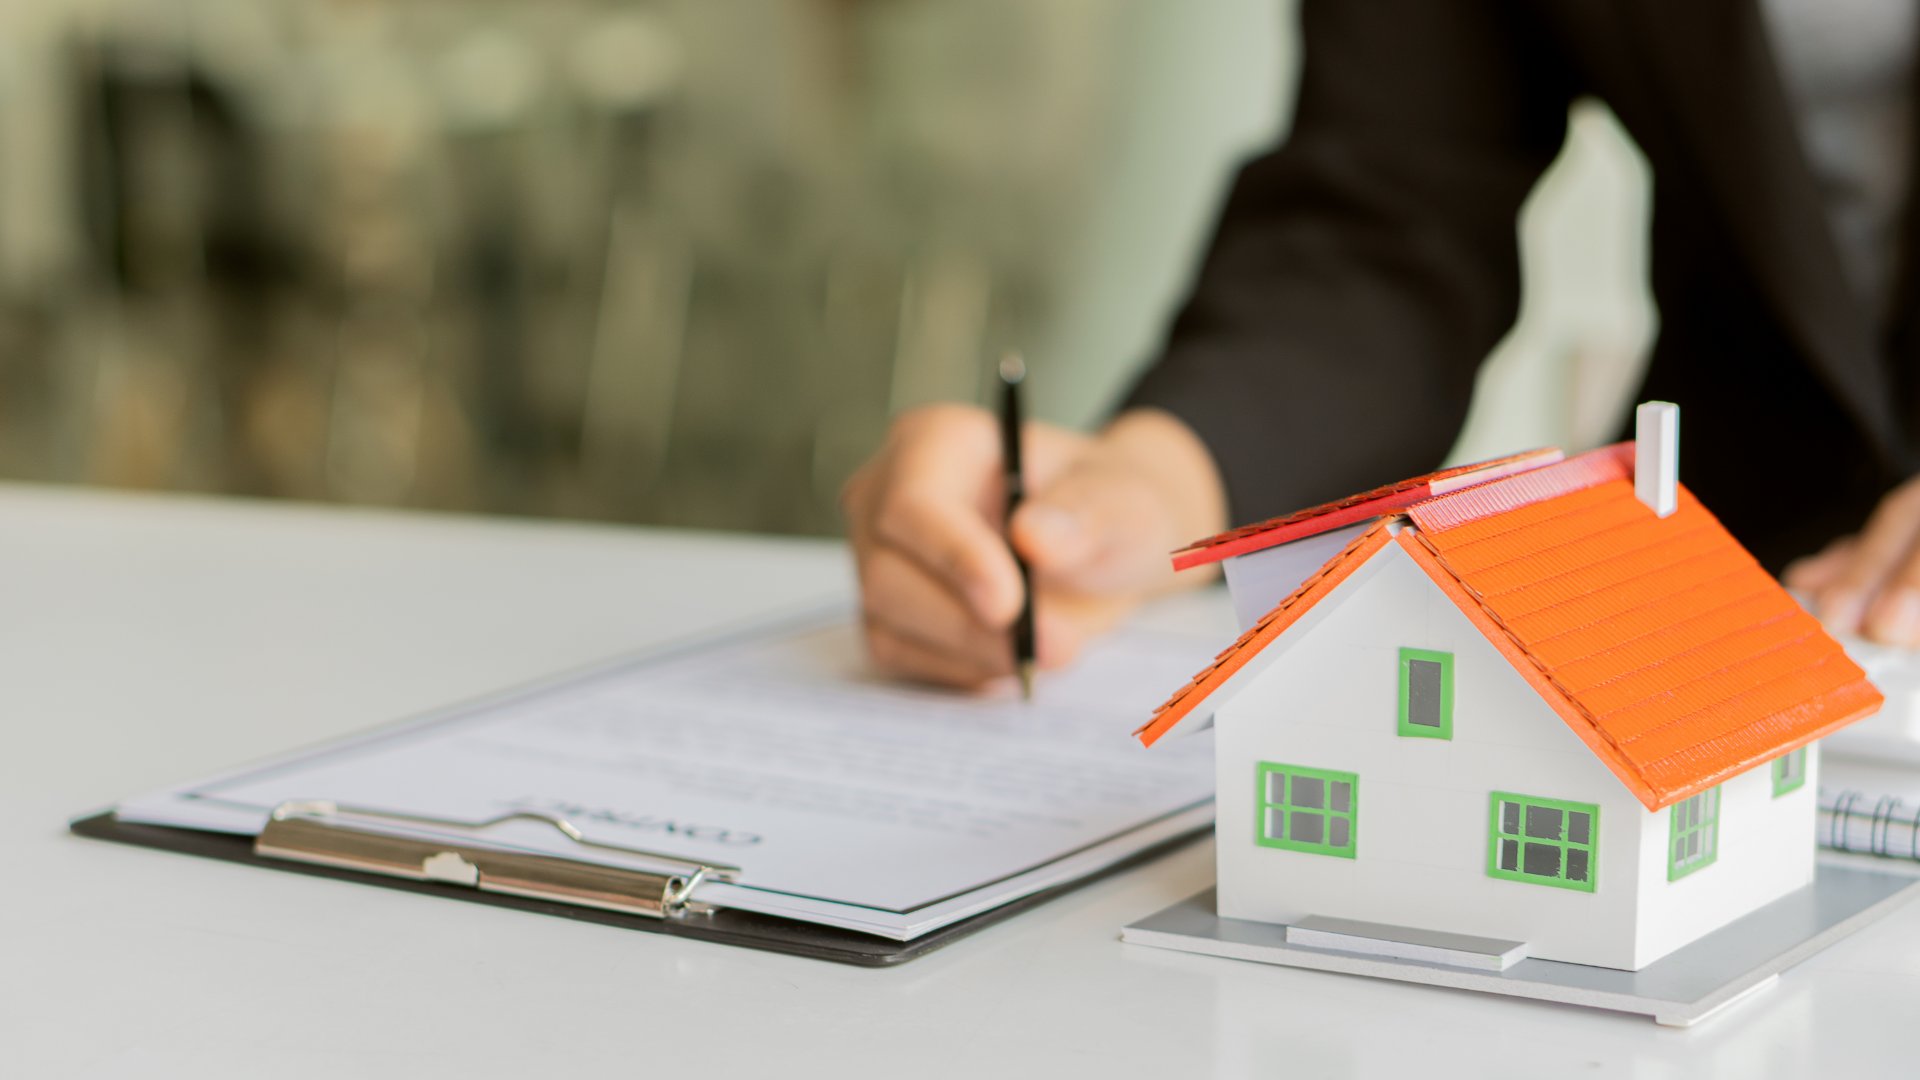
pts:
pixel 1545 702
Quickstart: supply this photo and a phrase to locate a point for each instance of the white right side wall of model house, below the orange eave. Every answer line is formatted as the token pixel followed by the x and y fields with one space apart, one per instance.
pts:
pixel 1767 850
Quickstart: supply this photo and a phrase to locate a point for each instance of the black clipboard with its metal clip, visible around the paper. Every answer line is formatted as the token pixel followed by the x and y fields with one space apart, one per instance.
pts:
pixel 322 841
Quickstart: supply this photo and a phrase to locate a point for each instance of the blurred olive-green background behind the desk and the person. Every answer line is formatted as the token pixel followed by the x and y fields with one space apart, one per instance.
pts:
pixel 654 260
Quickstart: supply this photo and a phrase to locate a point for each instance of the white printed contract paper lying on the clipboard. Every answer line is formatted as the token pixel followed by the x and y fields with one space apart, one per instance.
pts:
pixel 844 798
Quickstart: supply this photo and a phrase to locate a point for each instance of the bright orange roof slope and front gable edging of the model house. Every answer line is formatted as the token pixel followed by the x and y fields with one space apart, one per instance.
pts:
pixel 1662 643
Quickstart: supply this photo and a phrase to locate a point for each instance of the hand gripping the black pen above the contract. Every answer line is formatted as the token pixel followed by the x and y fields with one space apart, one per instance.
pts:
pixel 938 583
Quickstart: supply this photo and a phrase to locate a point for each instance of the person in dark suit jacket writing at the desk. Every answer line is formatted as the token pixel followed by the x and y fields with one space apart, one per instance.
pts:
pixel 1362 272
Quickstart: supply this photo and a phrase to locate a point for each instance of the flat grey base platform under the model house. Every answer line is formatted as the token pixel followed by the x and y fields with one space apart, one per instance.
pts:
pixel 1679 991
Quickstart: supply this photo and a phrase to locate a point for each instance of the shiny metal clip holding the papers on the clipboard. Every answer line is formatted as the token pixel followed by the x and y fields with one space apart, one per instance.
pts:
pixel 345 837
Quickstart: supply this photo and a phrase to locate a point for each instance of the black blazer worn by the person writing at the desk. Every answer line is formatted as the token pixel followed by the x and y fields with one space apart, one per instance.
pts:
pixel 1364 272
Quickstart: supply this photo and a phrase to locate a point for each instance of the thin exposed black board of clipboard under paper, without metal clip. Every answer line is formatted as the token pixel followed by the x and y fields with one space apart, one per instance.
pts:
pixel 725 927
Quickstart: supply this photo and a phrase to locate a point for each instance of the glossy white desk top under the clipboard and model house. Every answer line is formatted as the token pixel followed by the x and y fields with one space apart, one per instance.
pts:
pixel 147 641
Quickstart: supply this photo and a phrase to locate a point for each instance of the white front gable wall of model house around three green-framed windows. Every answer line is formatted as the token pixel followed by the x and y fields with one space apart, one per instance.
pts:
pixel 1326 697
